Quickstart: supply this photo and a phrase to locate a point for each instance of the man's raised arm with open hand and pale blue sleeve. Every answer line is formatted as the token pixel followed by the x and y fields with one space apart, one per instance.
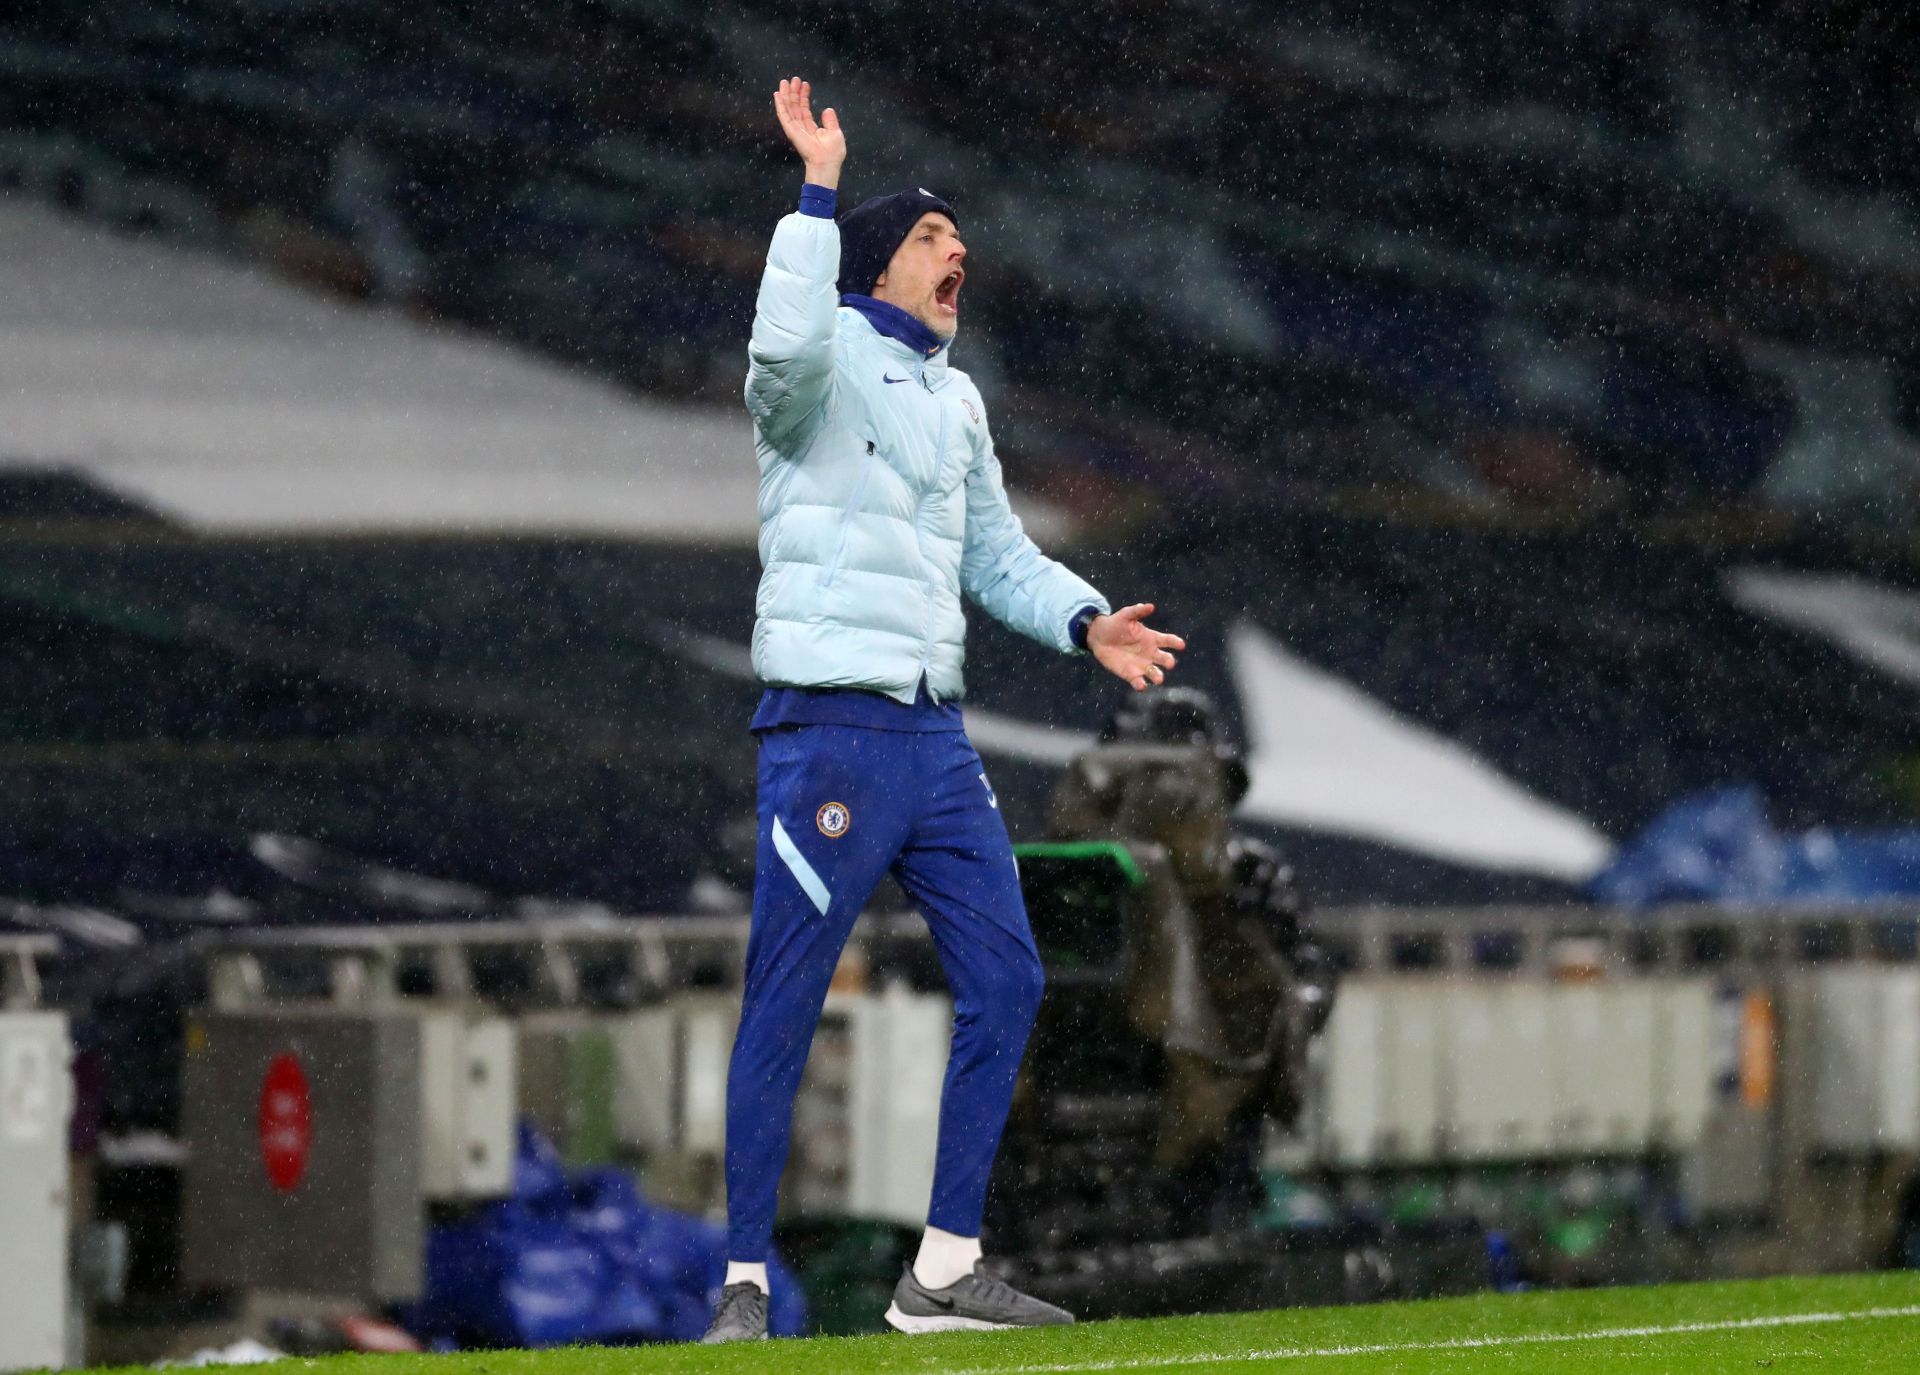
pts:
pixel 790 375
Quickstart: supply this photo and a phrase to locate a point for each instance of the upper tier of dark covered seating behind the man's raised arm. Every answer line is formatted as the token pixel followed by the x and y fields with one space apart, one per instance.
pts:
pixel 1524 256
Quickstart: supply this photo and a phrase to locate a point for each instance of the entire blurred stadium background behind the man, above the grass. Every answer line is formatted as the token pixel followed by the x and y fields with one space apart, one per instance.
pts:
pixel 1516 410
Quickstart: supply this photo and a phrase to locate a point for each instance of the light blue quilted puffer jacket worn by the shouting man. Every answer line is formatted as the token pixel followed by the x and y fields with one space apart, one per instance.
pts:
pixel 880 500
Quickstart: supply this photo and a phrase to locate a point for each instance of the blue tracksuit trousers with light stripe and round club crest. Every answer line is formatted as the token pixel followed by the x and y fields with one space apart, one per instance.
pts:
pixel 842 806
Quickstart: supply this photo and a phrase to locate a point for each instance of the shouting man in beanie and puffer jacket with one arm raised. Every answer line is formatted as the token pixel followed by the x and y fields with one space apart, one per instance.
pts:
pixel 880 504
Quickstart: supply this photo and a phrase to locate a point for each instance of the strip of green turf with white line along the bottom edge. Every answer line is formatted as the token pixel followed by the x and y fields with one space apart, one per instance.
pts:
pixel 1875 1326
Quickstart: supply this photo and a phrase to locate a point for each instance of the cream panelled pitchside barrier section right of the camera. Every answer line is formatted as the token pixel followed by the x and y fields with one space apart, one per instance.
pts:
pixel 1773 1055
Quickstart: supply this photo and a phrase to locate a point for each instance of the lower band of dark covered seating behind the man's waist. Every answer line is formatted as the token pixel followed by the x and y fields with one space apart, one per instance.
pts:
pixel 521 715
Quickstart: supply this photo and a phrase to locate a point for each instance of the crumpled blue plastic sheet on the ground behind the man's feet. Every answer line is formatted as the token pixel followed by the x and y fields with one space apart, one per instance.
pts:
pixel 579 1257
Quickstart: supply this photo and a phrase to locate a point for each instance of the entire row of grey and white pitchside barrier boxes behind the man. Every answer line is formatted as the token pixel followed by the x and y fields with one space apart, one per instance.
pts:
pixel 1769 1055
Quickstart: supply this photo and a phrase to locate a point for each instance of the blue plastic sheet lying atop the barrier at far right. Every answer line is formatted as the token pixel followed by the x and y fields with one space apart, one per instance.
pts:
pixel 1719 848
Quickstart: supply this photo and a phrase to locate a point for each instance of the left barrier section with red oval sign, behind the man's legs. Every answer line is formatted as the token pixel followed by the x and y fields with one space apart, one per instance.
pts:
pixel 348 1082
